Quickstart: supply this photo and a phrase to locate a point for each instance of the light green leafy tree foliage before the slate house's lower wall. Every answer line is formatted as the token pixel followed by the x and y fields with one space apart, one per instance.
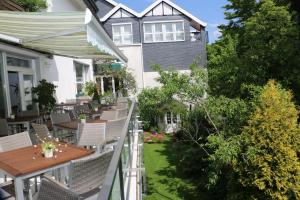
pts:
pixel 177 90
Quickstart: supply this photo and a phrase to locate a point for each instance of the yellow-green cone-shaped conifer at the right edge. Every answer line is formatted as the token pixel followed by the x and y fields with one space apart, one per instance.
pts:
pixel 268 164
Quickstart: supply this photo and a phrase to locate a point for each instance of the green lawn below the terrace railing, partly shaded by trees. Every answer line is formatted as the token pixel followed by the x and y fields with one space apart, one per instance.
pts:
pixel 164 181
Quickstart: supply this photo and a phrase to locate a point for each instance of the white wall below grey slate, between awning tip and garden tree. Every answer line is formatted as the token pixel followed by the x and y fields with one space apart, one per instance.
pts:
pixel 135 63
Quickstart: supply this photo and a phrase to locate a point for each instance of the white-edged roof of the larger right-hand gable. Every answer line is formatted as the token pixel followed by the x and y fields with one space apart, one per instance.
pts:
pixel 156 3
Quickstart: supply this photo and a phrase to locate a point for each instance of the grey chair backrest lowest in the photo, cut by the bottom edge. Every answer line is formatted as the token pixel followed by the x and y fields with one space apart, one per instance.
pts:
pixel 50 190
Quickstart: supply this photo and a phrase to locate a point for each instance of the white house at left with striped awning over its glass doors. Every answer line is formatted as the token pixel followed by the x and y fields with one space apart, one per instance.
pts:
pixel 57 46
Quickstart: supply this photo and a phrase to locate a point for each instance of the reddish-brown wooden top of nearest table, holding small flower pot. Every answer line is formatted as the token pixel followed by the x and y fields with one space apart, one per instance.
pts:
pixel 30 159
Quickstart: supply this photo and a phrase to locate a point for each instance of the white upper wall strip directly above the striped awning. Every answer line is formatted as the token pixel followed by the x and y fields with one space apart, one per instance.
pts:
pixel 64 5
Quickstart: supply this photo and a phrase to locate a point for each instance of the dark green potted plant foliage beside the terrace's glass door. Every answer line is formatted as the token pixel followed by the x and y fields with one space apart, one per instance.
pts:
pixel 45 95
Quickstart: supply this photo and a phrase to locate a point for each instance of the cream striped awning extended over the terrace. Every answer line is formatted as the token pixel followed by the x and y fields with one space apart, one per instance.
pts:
pixel 71 34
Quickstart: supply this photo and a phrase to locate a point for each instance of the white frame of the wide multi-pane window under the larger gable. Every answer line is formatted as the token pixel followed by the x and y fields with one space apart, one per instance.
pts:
pixel 164 31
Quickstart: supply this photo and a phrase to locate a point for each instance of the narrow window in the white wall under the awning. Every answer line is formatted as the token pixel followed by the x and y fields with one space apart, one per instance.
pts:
pixel 81 77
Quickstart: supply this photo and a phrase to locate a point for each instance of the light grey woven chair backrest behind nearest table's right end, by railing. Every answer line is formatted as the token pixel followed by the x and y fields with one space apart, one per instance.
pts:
pixel 91 134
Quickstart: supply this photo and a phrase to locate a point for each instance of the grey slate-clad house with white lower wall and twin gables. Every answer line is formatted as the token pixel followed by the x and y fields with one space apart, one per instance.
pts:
pixel 163 34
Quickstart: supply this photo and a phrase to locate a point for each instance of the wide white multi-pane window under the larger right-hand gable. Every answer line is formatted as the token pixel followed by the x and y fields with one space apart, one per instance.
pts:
pixel 164 32
